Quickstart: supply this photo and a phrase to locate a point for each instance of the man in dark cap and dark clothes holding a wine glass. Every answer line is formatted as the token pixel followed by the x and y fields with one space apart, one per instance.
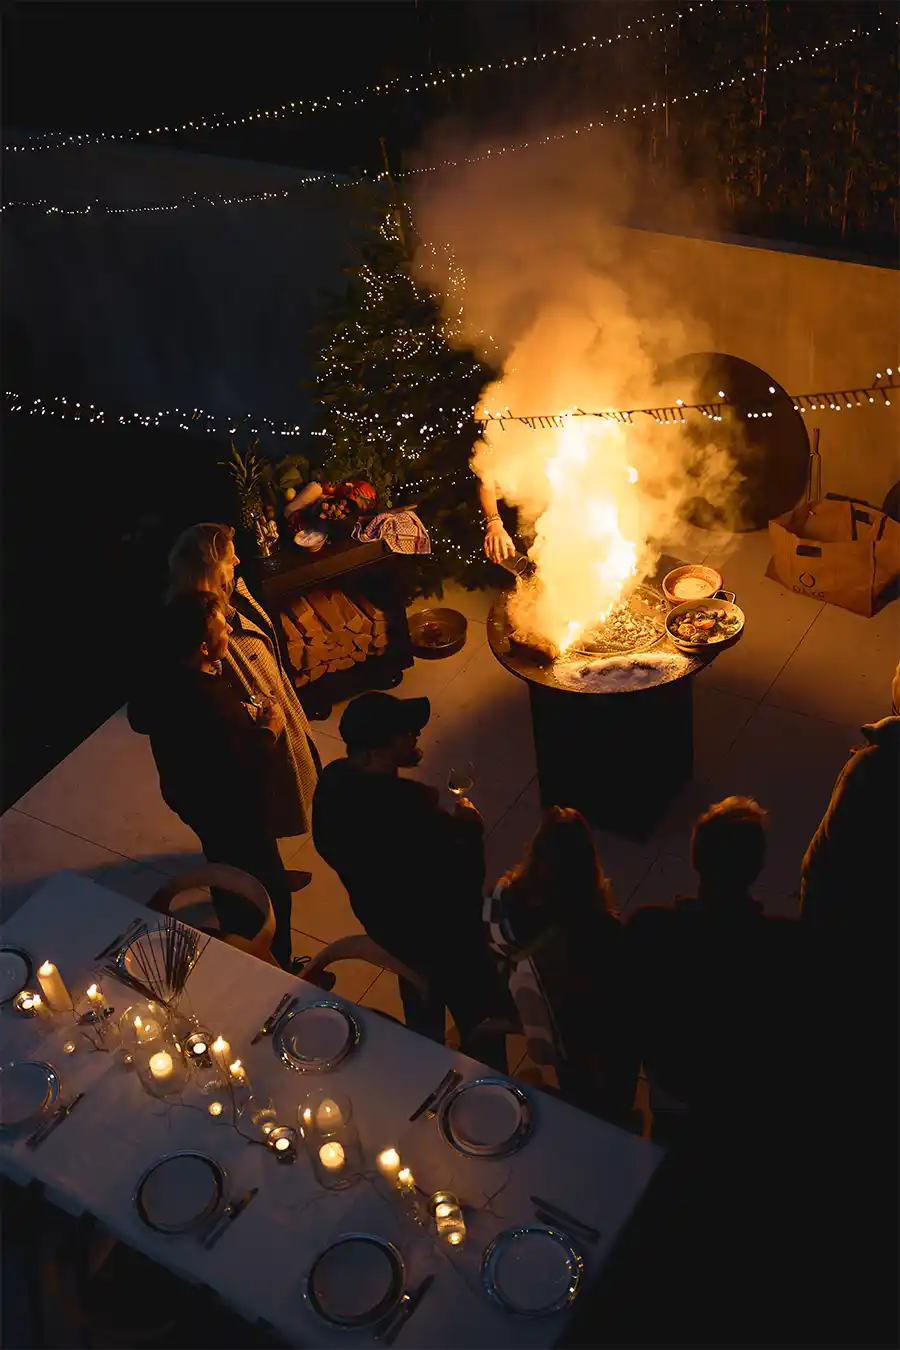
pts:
pixel 415 874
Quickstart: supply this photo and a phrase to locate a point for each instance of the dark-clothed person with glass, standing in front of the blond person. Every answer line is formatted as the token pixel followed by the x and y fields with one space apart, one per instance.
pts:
pixel 221 762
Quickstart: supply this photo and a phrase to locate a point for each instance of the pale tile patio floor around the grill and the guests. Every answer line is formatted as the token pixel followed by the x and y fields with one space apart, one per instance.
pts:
pixel 775 718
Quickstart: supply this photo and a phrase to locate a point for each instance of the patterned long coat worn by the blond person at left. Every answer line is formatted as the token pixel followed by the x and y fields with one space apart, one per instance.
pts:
pixel 256 659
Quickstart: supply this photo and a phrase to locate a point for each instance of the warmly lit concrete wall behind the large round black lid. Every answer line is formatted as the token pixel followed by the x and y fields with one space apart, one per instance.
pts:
pixel 812 323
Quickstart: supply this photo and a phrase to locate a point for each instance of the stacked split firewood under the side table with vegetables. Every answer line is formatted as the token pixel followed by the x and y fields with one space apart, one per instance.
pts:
pixel 327 631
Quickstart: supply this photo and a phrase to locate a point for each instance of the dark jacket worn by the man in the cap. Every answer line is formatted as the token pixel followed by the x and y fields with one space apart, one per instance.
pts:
pixel 414 873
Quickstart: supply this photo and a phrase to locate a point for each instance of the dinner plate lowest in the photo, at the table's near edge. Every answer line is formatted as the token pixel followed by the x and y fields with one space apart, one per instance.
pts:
pixel 357 1280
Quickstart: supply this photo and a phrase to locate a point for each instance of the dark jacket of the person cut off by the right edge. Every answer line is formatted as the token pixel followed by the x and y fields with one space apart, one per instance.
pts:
pixel 851 871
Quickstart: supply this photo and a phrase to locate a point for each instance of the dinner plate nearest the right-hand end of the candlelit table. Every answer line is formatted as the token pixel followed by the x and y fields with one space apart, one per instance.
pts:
pixel 532 1272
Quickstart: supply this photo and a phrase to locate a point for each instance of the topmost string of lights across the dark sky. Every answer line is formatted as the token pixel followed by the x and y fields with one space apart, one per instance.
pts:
pixel 347 98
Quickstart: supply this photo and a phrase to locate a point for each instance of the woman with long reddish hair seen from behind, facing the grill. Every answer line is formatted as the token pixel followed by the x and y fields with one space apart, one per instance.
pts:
pixel 555 924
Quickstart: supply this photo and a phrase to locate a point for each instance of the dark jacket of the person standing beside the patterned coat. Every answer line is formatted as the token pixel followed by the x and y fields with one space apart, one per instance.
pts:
pixel 218 770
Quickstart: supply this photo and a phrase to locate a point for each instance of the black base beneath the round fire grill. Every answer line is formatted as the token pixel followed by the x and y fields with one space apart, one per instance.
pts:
pixel 620 759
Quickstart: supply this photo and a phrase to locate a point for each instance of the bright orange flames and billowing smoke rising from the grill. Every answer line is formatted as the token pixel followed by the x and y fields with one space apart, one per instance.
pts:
pixel 558 299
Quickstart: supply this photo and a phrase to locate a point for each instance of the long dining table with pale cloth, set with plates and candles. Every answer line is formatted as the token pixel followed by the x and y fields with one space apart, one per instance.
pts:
pixel 92 1163
